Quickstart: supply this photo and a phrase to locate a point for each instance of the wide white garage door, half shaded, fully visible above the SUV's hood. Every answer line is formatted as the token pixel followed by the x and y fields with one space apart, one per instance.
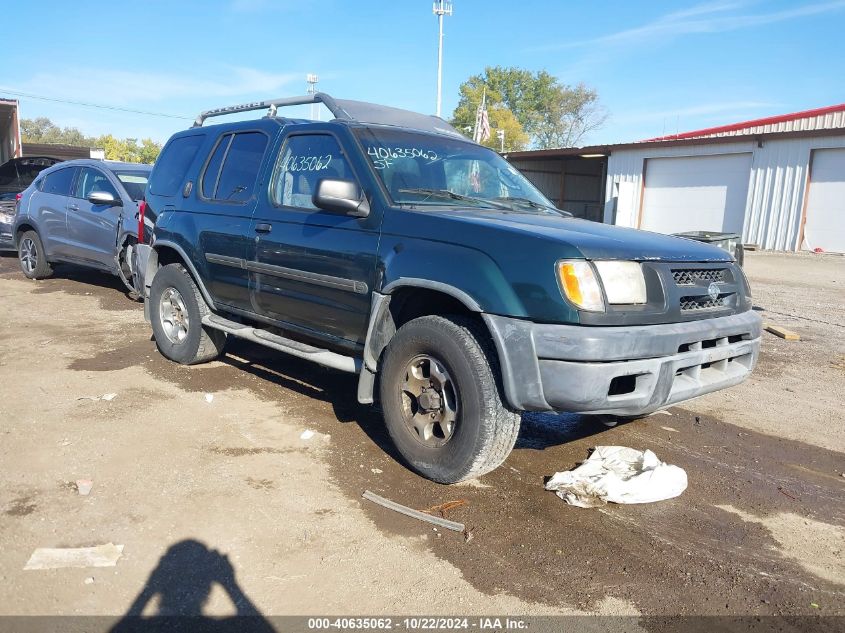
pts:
pixel 696 193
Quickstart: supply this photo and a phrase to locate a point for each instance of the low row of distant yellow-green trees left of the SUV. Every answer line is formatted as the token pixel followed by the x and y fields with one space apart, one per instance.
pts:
pixel 43 130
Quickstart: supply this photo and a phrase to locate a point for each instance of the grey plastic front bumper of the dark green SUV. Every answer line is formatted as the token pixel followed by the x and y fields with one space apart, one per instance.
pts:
pixel 622 370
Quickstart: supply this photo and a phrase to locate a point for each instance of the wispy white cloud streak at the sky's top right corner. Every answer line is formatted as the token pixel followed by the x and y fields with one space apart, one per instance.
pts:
pixel 711 17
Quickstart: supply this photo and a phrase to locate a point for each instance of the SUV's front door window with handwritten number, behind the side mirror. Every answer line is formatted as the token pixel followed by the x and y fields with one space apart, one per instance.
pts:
pixel 304 161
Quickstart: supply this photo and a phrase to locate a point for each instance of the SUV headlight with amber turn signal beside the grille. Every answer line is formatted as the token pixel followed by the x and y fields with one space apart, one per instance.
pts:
pixel 623 282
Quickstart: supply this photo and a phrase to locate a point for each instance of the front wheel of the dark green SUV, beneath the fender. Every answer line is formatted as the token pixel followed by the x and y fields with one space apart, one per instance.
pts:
pixel 442 401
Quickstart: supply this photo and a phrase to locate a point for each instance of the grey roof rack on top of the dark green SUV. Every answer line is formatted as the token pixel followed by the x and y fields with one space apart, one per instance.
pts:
pixel 345 110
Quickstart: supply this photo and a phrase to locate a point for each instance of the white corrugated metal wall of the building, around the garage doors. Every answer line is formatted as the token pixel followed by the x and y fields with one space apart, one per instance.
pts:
pixel 775 192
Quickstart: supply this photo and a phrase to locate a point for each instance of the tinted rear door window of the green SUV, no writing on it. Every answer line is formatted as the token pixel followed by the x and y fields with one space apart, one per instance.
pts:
pixel 233 168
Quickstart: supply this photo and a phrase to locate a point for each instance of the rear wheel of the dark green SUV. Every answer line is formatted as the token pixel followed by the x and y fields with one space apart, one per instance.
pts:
pixel 176 311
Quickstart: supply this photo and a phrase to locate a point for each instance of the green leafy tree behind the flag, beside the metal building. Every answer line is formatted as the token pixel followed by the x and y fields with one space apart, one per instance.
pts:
pixel 550 113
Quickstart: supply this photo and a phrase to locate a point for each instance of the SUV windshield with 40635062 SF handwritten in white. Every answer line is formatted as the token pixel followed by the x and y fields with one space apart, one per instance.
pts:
pixel 428 170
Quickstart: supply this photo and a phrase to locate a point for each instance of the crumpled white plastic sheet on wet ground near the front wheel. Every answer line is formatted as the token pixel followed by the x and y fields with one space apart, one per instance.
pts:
pixel 618 474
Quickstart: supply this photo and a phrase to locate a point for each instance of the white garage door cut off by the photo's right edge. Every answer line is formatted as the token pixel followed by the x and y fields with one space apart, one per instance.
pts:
pixel 825 227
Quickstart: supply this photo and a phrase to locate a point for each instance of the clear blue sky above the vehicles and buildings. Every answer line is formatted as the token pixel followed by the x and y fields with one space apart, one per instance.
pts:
pixel 659 67
